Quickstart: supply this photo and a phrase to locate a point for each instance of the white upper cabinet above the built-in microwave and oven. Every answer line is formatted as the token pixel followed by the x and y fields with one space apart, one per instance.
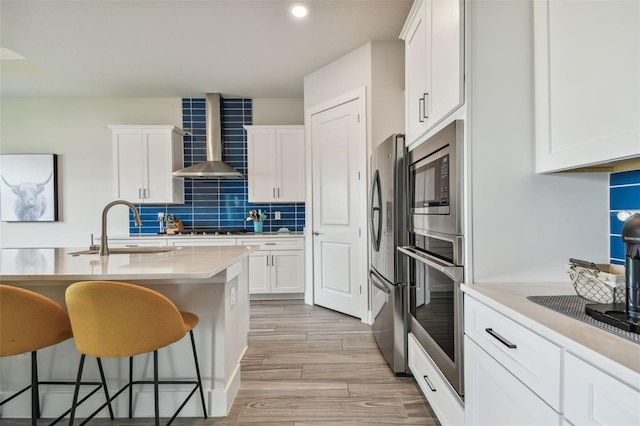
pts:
pixel 434 61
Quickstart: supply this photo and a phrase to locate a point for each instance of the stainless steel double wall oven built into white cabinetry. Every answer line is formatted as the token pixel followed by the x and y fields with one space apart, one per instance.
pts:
pixel 435 249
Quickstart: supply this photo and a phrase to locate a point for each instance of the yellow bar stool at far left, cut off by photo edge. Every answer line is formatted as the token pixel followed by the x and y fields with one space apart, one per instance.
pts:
pixel 30 322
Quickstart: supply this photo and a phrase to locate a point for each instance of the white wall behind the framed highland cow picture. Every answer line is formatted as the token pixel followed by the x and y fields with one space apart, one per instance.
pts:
pixel 75 129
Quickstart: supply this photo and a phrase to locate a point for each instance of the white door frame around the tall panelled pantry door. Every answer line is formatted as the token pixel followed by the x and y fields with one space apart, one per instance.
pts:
pixel 359 95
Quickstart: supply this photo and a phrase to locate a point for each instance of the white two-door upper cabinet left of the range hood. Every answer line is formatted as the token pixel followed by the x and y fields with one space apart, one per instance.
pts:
pixel 144 159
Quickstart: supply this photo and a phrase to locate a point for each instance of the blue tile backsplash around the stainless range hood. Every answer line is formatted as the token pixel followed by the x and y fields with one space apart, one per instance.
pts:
pixel 218 203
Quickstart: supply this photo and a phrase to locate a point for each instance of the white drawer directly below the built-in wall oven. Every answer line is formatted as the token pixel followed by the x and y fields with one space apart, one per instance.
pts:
pixel 441 396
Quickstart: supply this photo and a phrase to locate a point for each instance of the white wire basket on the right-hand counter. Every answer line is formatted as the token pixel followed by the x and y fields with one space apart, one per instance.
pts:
pixel 598 283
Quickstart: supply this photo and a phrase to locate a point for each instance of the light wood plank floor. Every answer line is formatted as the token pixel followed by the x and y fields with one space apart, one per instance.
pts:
pixel 308 366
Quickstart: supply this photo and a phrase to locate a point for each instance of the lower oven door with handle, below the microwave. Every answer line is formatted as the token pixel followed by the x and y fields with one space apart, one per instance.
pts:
pixel 435 311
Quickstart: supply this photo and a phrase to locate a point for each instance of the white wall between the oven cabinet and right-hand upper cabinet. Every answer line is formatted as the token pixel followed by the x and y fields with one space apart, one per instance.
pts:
pixel 525 226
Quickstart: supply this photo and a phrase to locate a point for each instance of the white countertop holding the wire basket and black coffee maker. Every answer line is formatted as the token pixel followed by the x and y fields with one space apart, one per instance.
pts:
pixel 614 354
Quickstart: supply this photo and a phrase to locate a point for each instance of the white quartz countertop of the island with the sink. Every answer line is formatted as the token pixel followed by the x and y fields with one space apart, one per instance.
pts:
pixel 201 262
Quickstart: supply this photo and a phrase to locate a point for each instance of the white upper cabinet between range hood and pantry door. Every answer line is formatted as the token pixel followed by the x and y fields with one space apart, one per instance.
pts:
pixel 275 164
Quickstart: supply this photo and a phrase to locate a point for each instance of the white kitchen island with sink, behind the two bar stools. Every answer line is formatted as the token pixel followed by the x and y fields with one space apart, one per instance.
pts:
pixel 208 281
